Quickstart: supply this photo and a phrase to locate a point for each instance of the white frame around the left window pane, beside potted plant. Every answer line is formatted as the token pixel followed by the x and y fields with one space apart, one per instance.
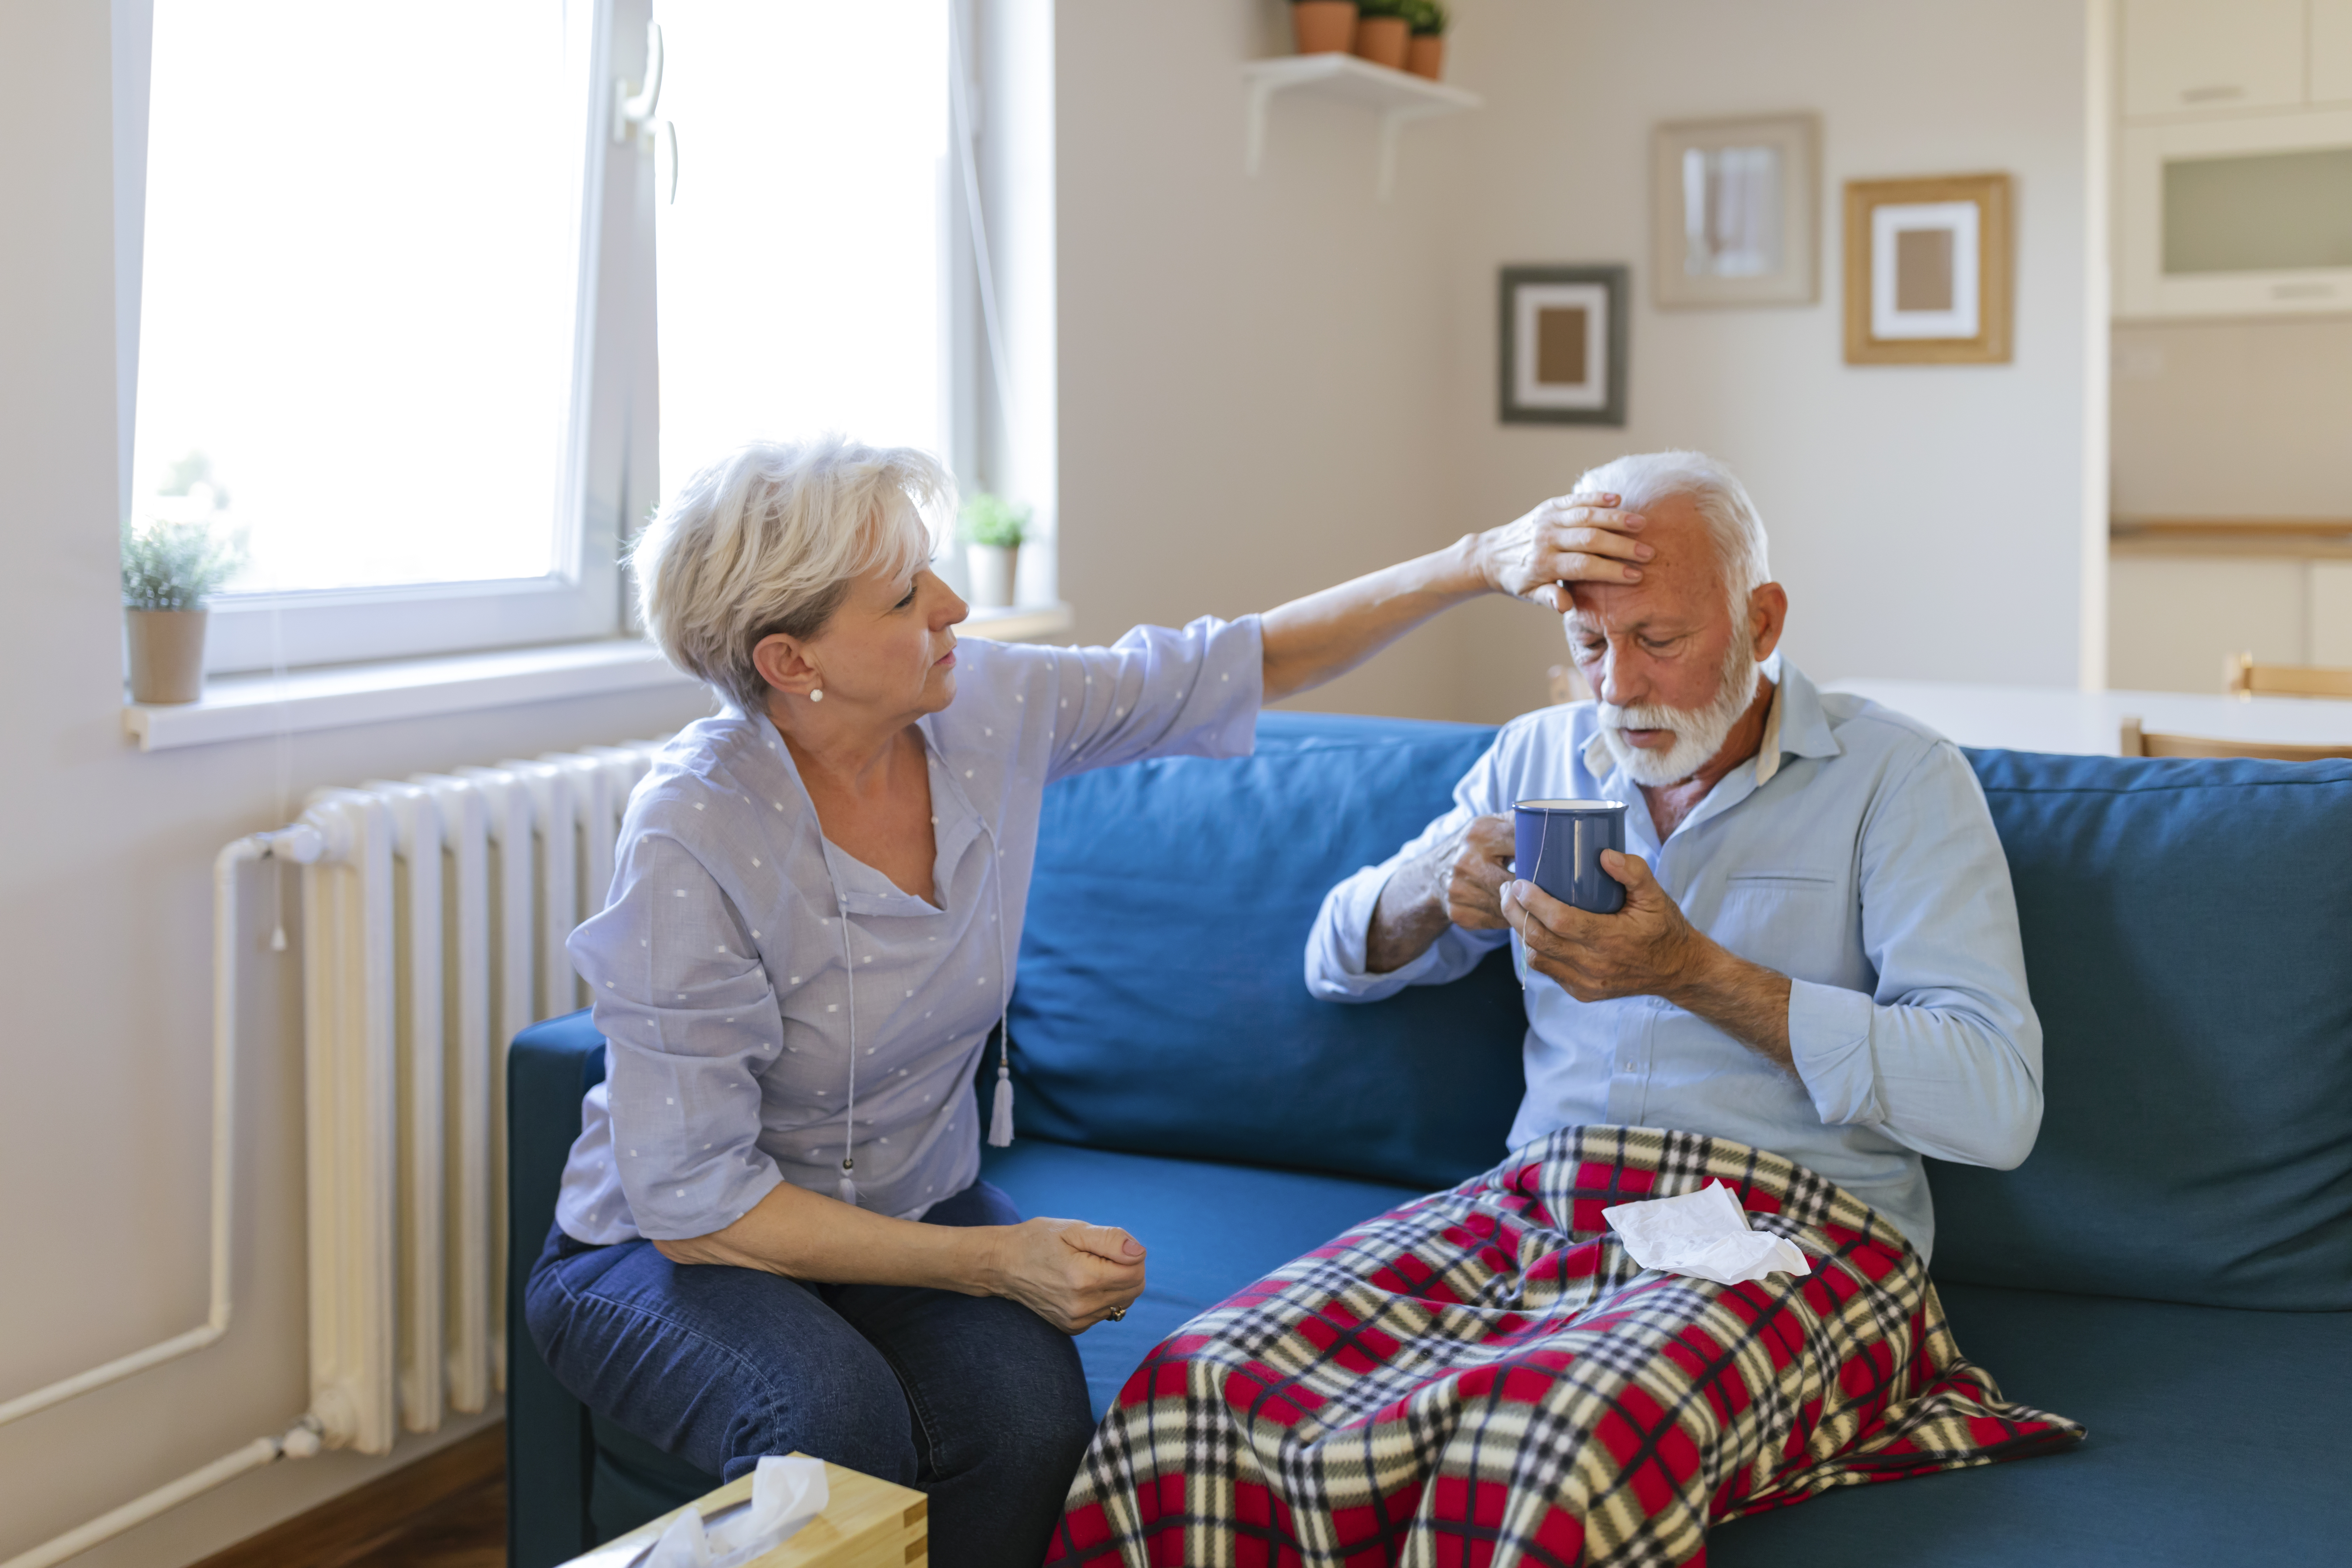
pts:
pixel 610 478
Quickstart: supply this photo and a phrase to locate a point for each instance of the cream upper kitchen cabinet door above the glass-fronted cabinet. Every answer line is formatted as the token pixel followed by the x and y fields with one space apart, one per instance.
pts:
pixel 2212 55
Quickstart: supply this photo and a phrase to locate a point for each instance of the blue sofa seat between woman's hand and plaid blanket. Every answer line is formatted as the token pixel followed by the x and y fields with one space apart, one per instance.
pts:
pixel 1208 1228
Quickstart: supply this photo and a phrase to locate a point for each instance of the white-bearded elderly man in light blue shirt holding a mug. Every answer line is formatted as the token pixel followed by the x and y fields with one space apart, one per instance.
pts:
pixel 1819 949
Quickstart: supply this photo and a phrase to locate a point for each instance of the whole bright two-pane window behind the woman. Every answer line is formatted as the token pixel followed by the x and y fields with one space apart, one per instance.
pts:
pixel 399 295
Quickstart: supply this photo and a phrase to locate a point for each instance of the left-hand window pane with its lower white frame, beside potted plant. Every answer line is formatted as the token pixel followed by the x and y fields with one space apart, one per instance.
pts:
pixel 368 260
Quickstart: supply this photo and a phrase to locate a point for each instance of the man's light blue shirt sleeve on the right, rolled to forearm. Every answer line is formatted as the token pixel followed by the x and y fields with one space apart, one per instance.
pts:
pixel 1946 1054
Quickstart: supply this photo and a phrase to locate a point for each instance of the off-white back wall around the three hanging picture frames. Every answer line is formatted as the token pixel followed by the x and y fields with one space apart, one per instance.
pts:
pixel 1927 521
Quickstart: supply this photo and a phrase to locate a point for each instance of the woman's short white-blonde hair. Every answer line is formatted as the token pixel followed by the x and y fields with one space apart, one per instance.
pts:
pixel 768 542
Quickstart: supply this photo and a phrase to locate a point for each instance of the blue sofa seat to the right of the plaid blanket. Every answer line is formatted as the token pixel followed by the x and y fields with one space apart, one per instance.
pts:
pixel 2217 1438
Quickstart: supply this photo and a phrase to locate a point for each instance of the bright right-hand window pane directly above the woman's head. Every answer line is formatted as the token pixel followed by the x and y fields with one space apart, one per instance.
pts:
pixel 801 262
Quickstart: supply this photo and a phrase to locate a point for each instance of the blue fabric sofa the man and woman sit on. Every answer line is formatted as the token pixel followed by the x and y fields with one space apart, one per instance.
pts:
pixel 2172 1266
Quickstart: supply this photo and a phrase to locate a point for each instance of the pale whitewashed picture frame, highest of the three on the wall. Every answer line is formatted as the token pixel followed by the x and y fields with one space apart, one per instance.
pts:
pixel 1735 213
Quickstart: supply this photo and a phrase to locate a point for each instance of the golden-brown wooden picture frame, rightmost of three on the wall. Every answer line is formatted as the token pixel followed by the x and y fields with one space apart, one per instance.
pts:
pixel 1930 272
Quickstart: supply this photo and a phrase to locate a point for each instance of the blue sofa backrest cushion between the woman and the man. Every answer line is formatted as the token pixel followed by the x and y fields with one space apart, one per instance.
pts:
pixel 1161 1003
